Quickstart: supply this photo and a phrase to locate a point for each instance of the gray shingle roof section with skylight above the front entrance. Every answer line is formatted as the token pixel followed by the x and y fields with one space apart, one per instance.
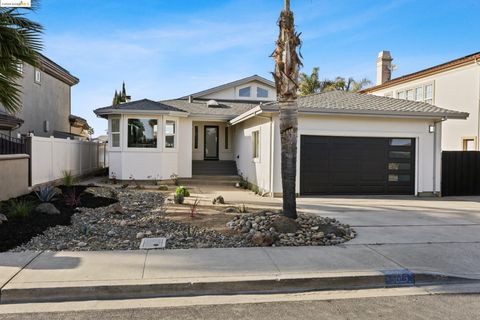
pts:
pixel 227 109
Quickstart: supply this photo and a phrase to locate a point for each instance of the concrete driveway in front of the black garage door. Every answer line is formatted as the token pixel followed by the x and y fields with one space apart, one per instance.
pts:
pixel 403 220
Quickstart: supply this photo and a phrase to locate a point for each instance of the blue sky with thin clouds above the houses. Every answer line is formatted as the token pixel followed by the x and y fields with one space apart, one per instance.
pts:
pixel 165 49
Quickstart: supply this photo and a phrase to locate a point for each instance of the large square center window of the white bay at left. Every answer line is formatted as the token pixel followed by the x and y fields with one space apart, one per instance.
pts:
pixel 142 133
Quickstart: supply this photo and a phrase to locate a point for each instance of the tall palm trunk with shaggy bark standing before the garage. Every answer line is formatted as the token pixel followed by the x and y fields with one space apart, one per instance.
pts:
pixel 287 65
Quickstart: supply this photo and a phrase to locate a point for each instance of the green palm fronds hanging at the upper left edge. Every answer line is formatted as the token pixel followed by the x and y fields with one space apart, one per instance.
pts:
pixel 19 42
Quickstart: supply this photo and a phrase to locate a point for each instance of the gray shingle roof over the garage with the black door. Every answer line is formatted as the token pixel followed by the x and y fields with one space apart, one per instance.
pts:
pixel 356 103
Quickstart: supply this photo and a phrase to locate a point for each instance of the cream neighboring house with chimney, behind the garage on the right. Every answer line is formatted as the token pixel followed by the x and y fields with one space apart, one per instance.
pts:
pixel 454 84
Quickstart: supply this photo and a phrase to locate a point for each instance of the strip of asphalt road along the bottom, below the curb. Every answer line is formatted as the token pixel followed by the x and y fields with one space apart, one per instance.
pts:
pixel 457 306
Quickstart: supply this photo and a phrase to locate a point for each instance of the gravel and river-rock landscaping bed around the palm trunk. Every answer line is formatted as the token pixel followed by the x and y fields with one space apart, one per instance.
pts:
pixel 142 213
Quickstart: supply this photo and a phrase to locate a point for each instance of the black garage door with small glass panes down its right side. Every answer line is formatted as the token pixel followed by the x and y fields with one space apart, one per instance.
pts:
pixel 356 165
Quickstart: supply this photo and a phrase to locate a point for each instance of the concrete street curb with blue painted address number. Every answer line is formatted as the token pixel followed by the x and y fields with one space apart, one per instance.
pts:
pixel 119 290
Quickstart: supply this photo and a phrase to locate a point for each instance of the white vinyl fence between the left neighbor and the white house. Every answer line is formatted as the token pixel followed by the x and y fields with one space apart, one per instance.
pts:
pixel 52 156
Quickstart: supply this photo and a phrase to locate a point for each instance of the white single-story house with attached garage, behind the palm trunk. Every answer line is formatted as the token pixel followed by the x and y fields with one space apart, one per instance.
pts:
pixel 348 143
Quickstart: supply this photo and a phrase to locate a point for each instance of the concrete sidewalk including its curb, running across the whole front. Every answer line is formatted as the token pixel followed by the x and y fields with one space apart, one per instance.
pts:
pixel 70 276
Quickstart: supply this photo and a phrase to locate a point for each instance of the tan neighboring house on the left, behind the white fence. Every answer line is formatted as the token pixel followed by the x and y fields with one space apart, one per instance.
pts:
pixel 46 103
